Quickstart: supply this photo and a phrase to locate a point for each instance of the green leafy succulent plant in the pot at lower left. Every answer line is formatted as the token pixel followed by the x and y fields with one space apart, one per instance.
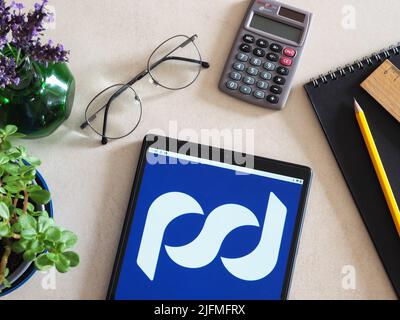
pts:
pixel 28 236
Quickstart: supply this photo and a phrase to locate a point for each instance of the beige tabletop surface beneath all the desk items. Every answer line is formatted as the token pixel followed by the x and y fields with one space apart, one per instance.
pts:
pixel 111 40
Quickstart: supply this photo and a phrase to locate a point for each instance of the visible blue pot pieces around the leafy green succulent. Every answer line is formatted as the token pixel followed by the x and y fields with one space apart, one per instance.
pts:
pixel 27 270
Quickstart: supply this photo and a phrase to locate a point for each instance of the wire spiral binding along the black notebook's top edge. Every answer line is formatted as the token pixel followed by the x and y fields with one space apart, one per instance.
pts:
pixel 356 65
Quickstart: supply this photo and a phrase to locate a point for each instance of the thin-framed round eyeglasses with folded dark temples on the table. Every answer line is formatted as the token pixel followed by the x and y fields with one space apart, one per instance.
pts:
pixel 115 112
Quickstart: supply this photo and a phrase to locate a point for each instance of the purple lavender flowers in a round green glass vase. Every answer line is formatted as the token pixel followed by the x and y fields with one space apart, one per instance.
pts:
pixel 36 86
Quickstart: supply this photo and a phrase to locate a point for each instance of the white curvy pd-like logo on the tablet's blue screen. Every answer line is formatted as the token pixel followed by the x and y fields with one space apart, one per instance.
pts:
pixel 205 247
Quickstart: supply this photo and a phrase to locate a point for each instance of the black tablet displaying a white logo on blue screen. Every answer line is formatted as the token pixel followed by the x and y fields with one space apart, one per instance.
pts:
pixel 209 224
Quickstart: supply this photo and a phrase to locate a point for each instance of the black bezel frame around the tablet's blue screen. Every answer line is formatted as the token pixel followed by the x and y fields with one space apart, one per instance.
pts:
pixel 263 164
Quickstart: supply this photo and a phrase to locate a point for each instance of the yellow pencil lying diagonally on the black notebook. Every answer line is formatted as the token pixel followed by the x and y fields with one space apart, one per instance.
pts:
pixel 378 165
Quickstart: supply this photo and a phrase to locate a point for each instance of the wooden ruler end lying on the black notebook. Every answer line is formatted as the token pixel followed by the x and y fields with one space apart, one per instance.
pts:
pixel 384 85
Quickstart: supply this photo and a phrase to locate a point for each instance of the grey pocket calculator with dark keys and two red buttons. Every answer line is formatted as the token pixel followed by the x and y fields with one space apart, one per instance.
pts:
pixel 266 53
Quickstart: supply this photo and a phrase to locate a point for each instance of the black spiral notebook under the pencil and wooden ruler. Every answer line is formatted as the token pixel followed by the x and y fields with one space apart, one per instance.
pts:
pixel 332 98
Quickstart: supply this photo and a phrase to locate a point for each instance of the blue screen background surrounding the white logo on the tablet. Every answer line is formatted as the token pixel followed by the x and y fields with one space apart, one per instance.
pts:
pixel 211 187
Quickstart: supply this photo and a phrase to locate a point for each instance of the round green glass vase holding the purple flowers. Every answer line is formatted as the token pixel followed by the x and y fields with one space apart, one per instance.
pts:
pixel 41 101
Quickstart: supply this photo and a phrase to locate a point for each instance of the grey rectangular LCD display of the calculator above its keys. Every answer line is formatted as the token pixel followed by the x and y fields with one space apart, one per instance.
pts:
pixel 276 28
